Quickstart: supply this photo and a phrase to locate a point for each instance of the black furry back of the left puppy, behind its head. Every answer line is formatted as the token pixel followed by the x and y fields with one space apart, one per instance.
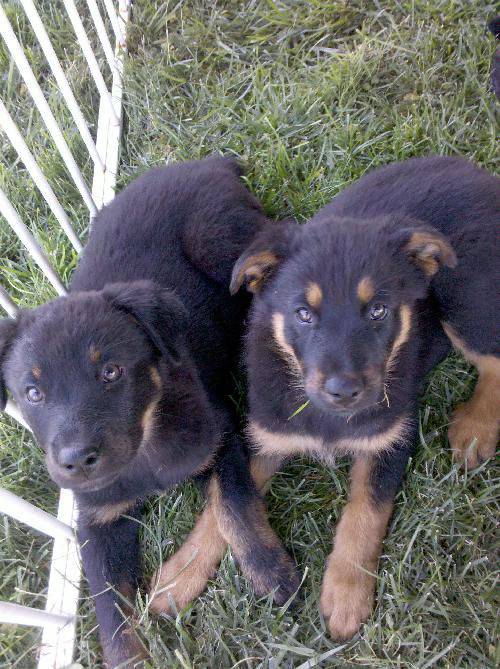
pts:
pixel 195 214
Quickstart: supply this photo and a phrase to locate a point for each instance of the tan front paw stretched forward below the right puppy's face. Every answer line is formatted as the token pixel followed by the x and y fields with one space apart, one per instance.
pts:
pixel 346 602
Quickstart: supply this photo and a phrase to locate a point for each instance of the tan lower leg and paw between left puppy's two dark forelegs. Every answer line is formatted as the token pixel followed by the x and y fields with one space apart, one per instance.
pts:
pixel 184 576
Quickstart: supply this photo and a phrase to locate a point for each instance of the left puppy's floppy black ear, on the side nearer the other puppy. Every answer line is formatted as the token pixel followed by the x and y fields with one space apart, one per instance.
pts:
pixel 157 310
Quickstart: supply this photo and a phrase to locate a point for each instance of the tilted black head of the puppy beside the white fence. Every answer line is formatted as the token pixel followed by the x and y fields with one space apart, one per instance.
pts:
pixel 87 371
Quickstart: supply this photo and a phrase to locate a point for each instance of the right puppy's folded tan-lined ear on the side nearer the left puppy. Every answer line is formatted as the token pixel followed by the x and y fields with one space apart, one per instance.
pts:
pixel 262 257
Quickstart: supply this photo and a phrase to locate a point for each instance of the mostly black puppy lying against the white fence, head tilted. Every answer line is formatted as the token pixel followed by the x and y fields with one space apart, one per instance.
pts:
pixel 125 381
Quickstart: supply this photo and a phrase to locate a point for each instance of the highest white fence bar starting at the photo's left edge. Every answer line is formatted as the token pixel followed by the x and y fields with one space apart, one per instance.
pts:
pixel 36 93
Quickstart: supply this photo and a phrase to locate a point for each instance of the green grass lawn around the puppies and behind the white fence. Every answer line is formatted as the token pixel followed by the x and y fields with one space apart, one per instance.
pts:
pixel 309 95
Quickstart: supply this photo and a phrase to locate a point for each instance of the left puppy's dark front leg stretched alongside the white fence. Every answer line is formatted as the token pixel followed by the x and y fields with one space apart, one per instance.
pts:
pixel 110 556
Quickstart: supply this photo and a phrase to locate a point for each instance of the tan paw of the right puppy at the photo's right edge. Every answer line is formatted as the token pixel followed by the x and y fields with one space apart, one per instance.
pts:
pixel 473 438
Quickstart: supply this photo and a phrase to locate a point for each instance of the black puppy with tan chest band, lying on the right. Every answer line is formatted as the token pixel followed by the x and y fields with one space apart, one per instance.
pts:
pixel 352 311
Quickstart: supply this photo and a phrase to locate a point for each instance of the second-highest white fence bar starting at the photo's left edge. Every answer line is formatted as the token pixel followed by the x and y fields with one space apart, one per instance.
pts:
pixel 12 132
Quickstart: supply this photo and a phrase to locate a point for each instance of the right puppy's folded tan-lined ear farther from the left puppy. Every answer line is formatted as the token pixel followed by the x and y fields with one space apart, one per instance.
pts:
pixel 428 248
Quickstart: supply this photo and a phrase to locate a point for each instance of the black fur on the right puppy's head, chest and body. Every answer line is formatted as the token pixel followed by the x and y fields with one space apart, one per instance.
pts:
pixel 401 226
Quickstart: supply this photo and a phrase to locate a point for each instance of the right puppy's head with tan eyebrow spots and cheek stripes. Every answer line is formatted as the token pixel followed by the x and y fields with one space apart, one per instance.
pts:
pixel 340 297
